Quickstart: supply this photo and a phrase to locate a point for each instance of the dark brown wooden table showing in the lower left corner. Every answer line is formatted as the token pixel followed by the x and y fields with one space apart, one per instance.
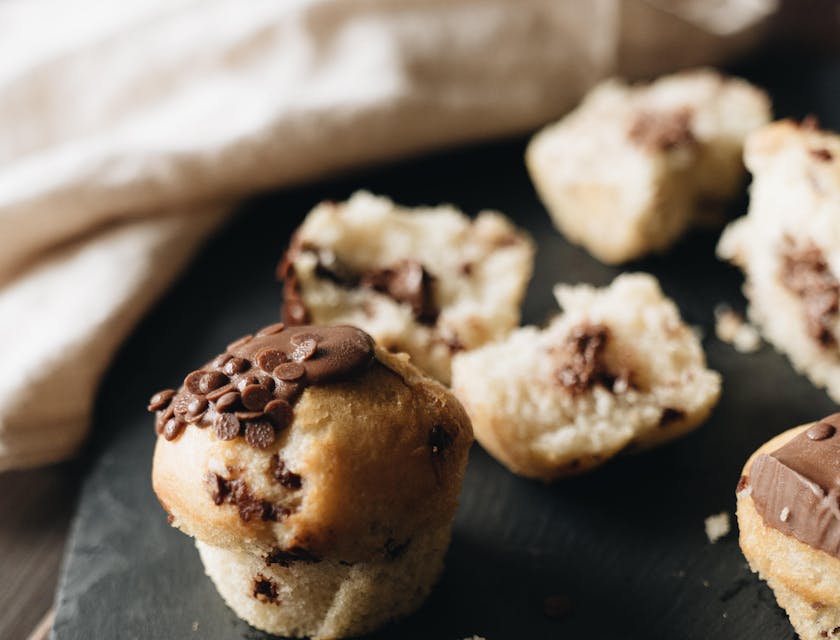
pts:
pixel 35 511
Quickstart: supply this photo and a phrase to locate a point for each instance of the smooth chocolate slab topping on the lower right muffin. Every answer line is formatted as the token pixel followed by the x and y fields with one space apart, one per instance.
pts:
pixel 796 488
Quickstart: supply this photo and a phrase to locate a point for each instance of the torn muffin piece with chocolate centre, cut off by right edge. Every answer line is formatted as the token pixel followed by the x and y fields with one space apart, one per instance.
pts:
pixel 788 246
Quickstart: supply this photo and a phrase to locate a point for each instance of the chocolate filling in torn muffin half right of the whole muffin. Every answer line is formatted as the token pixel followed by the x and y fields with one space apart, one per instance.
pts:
pixel 580 357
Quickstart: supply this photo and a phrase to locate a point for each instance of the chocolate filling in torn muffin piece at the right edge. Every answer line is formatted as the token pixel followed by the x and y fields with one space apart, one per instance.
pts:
pixel 806 273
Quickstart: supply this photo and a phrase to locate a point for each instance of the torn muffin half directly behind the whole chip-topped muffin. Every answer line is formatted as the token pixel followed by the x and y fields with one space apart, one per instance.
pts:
pixel 427 281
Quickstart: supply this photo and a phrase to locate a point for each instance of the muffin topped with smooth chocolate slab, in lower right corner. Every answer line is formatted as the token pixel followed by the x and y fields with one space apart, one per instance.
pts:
pixel 789 521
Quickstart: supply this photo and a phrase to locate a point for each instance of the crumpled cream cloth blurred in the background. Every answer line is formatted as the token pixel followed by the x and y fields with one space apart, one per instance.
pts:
pixel 129 129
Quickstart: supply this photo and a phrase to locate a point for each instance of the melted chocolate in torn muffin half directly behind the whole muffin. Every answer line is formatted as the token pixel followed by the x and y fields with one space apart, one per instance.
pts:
pixel 406 282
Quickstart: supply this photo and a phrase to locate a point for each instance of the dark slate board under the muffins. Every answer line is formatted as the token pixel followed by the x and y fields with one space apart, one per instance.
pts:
pixel 625 543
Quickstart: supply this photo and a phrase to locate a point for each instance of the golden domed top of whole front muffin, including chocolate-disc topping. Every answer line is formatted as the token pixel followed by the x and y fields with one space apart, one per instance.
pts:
pixel 308 442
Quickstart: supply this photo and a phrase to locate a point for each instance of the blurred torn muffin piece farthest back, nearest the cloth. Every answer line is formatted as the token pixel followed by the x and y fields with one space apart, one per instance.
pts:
pixel 631 168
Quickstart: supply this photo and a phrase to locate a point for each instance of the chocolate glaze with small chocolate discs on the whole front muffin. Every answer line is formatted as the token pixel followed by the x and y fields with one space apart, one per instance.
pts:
pixel 250 390
